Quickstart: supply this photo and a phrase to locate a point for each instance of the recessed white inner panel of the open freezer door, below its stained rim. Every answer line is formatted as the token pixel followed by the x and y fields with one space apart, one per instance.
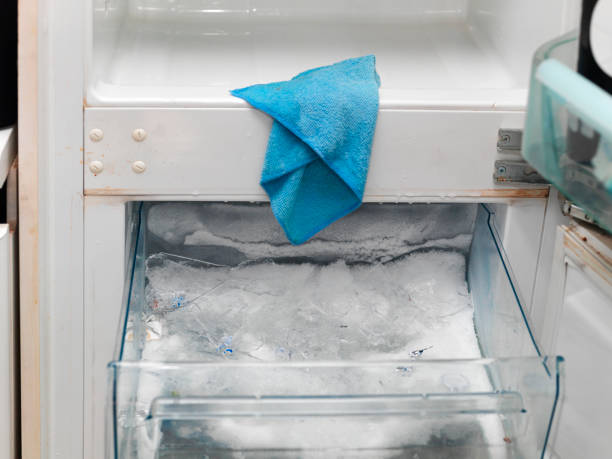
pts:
pixel 585 340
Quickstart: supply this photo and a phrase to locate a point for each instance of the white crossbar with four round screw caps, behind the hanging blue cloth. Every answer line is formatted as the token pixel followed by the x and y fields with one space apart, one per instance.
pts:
pixel 218 153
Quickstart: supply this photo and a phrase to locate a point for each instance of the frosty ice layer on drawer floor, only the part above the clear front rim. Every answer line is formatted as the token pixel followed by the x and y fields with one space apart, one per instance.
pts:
pixel 409 308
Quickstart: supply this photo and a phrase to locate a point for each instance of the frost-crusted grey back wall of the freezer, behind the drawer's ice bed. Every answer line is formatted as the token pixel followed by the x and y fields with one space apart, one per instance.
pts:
pixel 234 233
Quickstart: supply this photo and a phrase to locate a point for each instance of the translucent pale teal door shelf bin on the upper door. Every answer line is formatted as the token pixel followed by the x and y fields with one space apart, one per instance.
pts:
pixel 567 136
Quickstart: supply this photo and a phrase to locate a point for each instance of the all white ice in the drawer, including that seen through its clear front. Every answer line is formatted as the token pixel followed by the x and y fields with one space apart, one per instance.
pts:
pixel 412 307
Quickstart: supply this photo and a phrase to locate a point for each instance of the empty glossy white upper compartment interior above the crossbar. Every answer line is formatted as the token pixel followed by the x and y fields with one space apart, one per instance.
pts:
pixel 459 53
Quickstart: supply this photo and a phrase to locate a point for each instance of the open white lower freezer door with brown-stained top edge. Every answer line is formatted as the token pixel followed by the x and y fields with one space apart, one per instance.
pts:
pixel 577 324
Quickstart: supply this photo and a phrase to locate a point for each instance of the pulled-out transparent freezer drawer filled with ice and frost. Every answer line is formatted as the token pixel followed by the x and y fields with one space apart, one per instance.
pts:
pixel 396 332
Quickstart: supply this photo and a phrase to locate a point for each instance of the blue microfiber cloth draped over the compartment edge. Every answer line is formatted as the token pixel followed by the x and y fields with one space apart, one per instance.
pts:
pixel 319 148
